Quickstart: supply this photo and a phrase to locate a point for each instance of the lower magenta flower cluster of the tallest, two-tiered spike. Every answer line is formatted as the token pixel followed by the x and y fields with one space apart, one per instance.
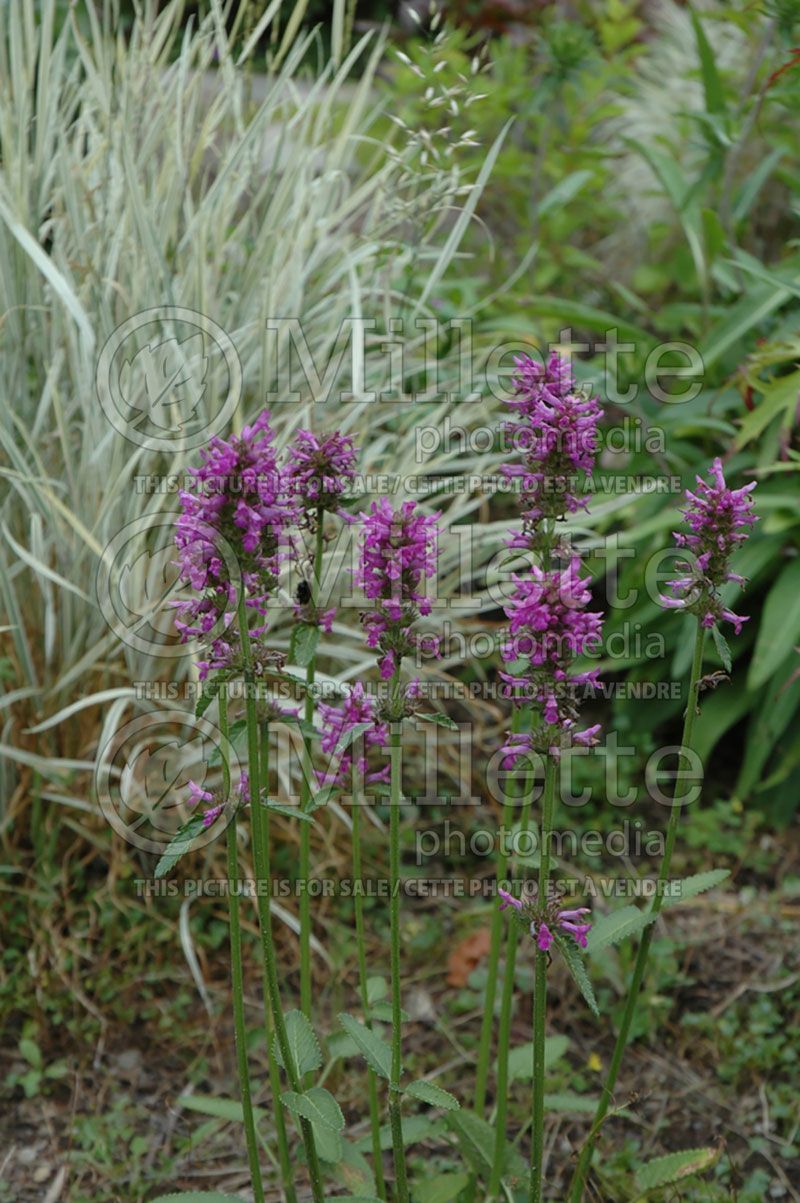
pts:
pixel 549 629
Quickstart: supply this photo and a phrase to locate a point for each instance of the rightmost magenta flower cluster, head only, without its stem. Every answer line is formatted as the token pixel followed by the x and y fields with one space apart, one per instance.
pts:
pixel 719 519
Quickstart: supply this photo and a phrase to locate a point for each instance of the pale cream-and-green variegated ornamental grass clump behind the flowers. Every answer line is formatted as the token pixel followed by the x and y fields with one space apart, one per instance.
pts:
pixel 137 187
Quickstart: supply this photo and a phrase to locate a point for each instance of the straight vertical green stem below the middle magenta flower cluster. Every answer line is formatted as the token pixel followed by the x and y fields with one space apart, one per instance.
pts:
pixel 395 1118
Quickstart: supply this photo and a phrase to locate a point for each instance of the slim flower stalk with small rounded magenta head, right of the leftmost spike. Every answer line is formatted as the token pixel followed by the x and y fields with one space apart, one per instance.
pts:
pixel 317 476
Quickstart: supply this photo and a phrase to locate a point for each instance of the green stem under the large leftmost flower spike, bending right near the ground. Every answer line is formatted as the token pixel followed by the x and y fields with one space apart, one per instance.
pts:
pixel 264 882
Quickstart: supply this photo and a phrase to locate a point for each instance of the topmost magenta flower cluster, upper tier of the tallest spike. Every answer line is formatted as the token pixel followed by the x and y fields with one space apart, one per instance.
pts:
pixel 556 431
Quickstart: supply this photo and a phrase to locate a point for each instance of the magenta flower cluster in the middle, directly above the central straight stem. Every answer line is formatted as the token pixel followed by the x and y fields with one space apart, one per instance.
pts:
pixel 399 553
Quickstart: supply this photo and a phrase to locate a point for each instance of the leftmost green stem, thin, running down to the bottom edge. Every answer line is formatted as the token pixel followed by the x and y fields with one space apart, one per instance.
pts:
pixel 238 974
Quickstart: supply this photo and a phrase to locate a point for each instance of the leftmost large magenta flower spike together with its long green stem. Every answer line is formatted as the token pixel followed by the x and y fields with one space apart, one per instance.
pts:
pixel 235 519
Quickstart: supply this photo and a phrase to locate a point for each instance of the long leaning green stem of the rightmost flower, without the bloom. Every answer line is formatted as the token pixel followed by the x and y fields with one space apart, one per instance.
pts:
pixel 607 1097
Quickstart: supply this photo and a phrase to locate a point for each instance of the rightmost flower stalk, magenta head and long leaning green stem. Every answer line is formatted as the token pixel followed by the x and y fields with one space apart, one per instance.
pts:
pixel 719 520
